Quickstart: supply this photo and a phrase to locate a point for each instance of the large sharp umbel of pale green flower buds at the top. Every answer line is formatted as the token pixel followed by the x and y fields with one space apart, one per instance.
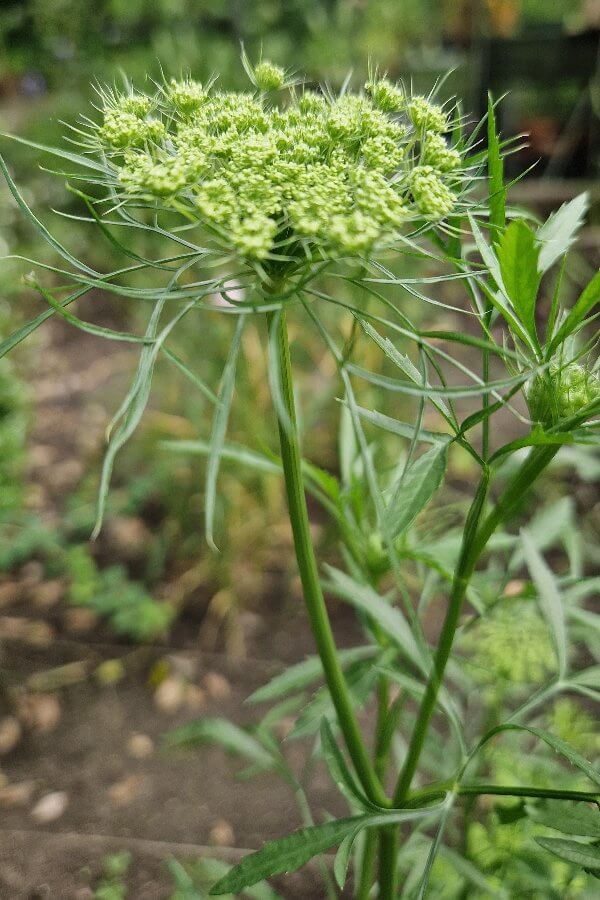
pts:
pixel 317 176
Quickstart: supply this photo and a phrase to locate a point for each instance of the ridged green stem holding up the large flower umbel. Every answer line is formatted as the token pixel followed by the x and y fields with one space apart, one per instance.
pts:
pixel 309 576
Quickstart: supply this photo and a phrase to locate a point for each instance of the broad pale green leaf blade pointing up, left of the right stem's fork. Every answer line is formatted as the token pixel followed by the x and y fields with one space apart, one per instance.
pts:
pixel 415 488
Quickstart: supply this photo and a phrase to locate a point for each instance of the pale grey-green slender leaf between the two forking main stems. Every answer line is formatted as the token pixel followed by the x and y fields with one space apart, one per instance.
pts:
pixel 389 618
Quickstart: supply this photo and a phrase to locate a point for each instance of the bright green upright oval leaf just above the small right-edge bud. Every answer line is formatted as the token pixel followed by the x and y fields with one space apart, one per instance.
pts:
pixel 518 257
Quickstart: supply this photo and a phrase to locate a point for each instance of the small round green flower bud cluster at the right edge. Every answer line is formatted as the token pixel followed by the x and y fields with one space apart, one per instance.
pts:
pixel 562 392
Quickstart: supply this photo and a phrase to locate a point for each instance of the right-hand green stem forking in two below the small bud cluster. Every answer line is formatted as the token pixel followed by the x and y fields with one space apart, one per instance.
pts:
pixel 475 538
